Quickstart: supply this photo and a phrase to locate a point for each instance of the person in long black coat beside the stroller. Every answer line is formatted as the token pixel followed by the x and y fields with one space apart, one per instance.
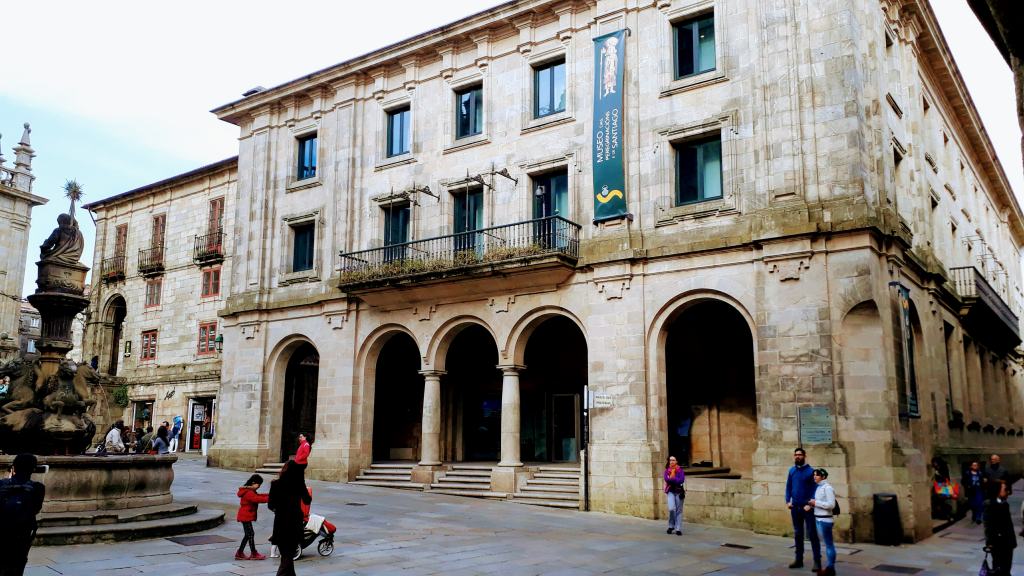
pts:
pixel 286 495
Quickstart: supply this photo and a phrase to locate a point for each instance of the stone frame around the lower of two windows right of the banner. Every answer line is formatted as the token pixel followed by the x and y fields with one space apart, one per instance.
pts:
pixel 667 212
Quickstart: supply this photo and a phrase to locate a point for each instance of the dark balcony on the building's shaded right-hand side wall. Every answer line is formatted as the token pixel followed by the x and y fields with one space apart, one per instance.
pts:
pixel 985 312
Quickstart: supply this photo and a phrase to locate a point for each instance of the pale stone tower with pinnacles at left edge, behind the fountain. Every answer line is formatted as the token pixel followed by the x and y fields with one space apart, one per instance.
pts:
pixel 17 202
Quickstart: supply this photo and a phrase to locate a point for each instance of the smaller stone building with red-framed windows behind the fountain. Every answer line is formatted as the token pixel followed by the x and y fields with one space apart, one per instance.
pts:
pixel 161 253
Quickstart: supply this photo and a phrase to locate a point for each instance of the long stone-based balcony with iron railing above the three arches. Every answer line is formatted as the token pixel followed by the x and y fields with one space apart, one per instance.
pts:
pixel 497 260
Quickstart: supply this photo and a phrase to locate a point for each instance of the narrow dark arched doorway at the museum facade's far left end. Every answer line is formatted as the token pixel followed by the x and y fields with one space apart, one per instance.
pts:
pixel 300 417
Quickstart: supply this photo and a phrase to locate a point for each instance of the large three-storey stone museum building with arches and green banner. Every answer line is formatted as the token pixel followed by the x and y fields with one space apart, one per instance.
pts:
pixel 821 249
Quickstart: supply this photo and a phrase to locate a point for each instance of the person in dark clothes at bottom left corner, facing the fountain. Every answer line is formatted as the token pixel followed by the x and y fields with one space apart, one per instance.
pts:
pixel 21 501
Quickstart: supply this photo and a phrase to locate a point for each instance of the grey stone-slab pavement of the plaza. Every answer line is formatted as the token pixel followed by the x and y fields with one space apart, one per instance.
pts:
pixel 386 531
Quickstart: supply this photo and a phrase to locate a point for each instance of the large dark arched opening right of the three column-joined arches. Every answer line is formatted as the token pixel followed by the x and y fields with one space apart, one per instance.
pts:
pixel 710 392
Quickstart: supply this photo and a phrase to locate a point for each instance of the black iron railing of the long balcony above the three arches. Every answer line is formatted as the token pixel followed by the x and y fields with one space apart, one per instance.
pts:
pixel 520 242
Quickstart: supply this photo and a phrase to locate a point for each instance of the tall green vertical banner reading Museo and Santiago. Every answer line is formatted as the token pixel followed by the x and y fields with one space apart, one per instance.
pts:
pixel 610 174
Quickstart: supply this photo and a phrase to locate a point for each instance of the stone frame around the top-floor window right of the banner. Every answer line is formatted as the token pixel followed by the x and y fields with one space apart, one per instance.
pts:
pixel 675 13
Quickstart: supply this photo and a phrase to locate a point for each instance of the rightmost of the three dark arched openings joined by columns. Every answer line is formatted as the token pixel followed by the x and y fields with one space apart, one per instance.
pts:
pixel 551 391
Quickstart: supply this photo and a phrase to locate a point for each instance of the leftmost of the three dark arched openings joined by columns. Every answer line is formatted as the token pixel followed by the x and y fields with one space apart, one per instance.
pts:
pixel 398 401
